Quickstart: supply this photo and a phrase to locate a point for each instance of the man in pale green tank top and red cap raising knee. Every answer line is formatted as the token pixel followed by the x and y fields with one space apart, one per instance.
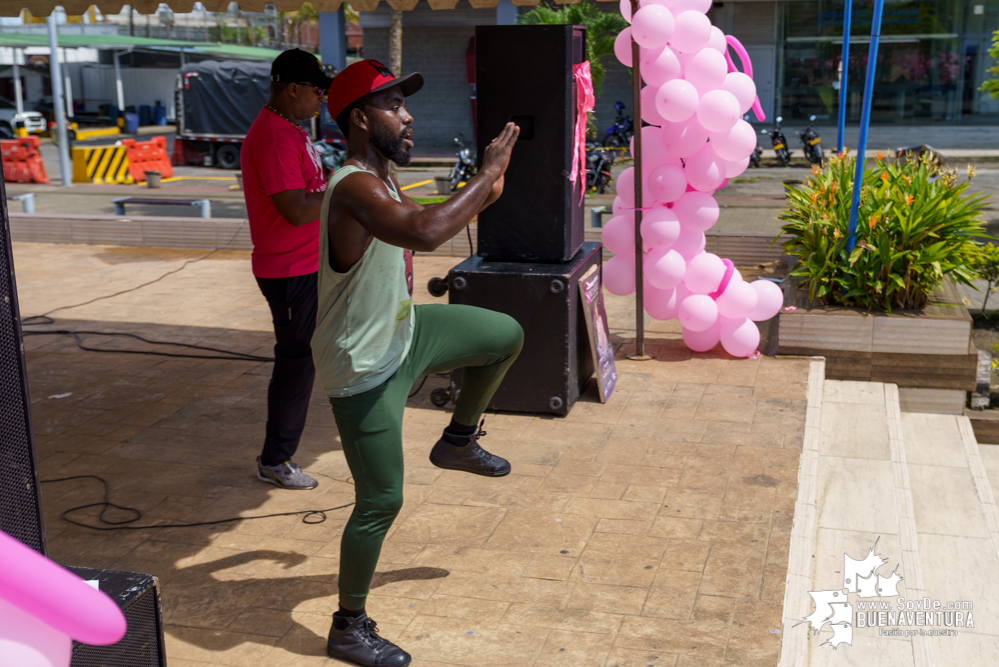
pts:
pixel 371 343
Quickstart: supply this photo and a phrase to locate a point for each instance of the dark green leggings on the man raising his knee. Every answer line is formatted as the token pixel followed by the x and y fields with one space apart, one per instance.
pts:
pixel 445 337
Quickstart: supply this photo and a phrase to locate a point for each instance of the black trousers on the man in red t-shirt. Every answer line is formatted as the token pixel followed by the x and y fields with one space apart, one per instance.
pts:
pixel 293 310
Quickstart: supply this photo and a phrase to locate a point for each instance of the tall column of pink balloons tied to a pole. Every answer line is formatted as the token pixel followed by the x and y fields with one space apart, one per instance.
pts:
pixel 696 140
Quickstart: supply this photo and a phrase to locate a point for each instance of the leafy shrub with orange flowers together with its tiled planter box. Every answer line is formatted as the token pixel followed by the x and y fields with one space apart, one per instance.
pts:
pixel 887 310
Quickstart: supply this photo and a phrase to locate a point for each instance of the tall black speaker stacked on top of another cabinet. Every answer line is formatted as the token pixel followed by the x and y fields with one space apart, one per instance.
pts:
pixel 523 74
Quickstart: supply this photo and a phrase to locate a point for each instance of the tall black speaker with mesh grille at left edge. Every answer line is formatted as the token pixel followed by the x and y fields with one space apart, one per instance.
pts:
pixel 20 502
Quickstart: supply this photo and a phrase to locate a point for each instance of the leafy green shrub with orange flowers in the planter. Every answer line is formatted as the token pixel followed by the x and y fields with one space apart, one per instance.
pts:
pixel 916 224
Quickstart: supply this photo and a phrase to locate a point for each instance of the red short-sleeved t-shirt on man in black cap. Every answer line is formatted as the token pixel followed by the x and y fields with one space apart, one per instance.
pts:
pixel 279 156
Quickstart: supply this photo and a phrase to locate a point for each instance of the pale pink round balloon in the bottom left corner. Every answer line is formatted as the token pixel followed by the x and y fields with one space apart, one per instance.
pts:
pixel 25 641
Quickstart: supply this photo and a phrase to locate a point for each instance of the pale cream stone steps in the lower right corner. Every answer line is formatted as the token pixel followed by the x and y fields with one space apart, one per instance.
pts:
pixel 885 493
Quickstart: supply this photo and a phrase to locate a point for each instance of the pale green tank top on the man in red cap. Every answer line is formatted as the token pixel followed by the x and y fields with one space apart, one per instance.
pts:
pixel 364 323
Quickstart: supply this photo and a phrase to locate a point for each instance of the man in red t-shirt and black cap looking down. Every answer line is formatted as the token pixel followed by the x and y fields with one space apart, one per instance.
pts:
pixel 283 186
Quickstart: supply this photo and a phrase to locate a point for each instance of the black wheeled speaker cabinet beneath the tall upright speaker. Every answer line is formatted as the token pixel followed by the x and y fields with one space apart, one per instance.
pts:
pixel 556 362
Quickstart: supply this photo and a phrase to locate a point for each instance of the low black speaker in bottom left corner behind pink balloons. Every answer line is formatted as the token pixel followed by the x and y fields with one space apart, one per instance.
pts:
pixel 138 596
